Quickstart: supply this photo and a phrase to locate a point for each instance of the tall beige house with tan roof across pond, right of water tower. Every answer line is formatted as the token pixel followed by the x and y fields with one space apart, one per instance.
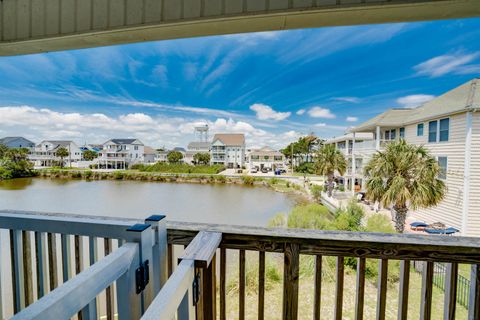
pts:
pixel 228 149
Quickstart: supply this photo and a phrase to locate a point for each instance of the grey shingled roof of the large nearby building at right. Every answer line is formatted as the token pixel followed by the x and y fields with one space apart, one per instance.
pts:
pixel 460 99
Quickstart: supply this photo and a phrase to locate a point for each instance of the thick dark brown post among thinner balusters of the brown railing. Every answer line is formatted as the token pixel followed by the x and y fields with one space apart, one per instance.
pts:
pixel 290 281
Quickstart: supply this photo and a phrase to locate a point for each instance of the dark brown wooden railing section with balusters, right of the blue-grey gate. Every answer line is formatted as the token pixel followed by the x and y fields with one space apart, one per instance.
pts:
pixel 293 243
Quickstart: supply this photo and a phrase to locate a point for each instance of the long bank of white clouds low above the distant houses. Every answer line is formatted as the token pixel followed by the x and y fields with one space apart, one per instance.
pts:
pixel 38 124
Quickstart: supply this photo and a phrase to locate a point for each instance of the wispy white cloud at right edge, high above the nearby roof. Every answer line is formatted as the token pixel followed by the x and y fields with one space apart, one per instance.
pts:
pixel 457 63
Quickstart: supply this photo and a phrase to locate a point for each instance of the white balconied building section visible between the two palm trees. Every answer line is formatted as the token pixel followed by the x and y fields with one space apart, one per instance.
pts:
pixel 357 147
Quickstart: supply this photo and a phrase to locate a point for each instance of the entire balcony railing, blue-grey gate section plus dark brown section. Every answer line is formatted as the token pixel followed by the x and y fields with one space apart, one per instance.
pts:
pixel 128 260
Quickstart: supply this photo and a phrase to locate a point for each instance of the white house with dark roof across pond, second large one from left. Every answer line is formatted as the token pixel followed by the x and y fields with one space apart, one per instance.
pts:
pixel 121 153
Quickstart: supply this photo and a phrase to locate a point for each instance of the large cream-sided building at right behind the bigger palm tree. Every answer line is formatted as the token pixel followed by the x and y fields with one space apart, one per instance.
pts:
pixel 449 127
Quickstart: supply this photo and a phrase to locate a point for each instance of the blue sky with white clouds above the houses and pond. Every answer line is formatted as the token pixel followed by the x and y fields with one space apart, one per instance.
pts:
pixel 273 86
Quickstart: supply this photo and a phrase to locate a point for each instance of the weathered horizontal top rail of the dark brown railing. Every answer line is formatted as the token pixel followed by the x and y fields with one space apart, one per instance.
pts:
pixel 335 243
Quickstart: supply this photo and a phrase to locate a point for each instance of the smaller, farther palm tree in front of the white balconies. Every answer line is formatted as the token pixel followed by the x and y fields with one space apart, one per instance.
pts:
pixel 329 159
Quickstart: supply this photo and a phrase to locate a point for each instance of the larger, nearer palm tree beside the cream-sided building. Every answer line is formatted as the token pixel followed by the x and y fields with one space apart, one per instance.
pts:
pixel 404 176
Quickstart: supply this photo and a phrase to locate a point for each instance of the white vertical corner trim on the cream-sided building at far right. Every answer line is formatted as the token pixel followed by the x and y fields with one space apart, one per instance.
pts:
pixel 466 174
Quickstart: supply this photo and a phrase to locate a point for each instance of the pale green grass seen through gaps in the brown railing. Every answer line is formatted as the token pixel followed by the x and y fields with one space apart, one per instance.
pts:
pixel 273 296
